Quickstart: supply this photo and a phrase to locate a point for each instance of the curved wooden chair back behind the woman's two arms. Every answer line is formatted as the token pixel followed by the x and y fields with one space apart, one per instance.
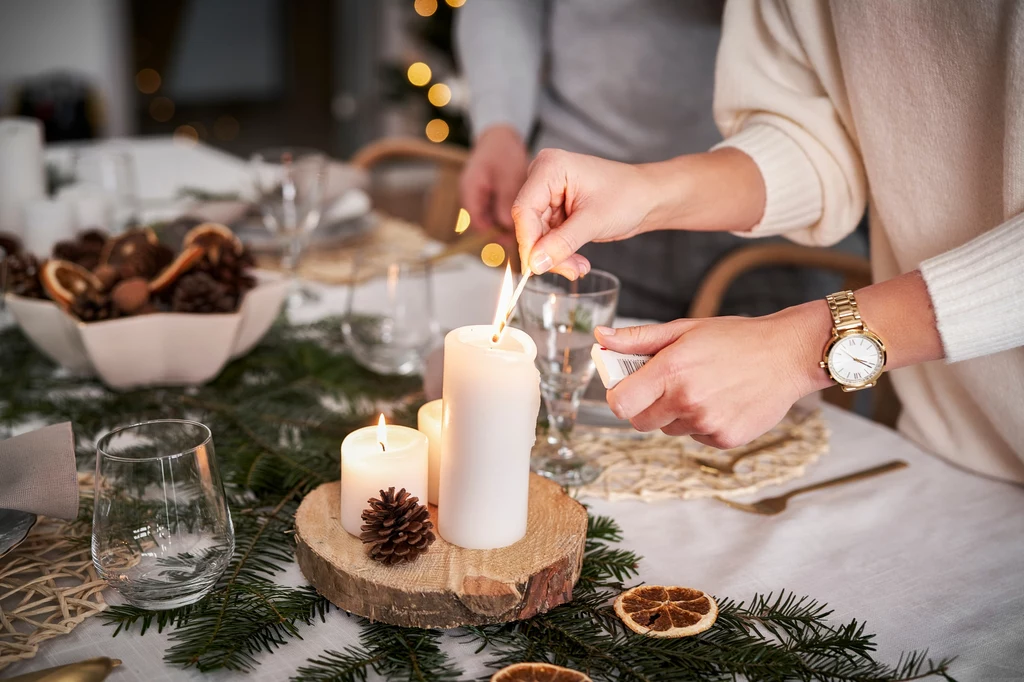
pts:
pixel 857 273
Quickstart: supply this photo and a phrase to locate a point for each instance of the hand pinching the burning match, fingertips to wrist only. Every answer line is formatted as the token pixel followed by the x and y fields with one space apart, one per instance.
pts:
pixel 572 199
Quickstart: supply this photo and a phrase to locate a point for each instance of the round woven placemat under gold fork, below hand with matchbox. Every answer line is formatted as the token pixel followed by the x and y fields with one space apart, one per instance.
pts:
pixel 661 467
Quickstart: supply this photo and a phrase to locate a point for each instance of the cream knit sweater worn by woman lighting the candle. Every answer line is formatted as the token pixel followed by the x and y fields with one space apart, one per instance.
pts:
pixel 919 107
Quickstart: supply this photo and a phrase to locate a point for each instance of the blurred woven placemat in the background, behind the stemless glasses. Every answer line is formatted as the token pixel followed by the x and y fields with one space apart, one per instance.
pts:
pixel 396 238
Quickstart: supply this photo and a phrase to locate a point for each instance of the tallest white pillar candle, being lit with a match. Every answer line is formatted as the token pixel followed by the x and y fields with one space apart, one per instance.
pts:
pixel 491 401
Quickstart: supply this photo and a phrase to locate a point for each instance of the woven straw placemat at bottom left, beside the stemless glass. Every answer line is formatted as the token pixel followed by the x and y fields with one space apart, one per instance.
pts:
pixel 48 586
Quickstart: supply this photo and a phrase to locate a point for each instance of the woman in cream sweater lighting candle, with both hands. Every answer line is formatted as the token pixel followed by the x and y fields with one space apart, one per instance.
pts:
pixel 915 105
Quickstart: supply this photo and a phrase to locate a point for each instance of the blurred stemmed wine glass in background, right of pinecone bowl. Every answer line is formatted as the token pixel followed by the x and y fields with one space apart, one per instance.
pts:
pixel 290 185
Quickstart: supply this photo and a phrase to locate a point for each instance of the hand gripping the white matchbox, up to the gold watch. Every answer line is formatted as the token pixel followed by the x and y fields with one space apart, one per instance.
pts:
pixel 723 380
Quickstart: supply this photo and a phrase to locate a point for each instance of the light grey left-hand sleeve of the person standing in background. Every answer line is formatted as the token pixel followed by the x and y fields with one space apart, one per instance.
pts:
pixel 500 45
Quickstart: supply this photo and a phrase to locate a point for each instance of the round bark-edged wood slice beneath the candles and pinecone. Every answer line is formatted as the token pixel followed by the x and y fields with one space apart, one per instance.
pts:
pixel 449 586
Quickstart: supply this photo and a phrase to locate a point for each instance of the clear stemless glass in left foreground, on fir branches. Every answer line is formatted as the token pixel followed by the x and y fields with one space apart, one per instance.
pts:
pixel 162 534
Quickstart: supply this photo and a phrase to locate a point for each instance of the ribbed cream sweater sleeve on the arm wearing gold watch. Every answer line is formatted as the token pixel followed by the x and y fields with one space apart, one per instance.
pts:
pixel 977 291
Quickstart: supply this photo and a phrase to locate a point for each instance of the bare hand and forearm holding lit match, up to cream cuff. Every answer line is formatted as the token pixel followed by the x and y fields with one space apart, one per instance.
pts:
pixel 572 199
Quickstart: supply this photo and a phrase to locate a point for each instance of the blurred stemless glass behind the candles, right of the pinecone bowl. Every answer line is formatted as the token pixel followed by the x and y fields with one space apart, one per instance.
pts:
pixel 391 326
